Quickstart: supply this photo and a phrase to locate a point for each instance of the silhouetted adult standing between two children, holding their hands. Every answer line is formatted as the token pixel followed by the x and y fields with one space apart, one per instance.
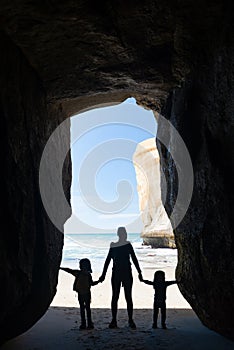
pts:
pixel 120 252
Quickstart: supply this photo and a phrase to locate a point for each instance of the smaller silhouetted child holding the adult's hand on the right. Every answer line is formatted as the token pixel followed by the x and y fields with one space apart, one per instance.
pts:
pixel 160 286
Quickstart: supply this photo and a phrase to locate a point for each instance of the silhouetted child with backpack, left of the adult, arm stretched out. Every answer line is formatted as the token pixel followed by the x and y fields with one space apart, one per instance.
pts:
pixel 82 285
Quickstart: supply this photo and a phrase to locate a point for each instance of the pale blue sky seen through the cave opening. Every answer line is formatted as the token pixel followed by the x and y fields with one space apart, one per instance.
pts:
pixel 104 190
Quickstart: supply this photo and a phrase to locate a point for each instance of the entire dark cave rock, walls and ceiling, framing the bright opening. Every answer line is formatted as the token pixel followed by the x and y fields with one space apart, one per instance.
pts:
pixel 58 58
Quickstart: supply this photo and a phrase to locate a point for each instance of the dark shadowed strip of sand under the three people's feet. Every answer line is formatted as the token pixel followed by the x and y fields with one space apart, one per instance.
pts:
pixel 59 329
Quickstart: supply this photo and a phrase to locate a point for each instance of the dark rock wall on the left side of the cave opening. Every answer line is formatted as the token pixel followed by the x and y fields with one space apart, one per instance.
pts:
pixel 30 246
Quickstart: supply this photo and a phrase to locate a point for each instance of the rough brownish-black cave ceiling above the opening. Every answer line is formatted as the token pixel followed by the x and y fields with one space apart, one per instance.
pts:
pixel 84 48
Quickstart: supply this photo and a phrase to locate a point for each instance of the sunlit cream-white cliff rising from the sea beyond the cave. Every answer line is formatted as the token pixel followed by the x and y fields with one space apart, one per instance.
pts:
pixel 157 230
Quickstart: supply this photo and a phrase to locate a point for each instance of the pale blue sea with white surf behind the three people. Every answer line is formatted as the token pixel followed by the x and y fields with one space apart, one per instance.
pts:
pixel 96 246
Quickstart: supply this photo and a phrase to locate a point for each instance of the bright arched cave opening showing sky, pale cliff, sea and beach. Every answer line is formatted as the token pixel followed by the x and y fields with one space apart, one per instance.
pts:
pixel 115 163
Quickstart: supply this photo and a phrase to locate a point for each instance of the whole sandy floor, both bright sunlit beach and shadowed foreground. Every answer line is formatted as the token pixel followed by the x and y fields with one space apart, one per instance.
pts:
pixel 59 328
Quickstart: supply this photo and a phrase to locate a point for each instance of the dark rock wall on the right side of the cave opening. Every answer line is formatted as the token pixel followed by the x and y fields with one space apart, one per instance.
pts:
pixel 202 110
